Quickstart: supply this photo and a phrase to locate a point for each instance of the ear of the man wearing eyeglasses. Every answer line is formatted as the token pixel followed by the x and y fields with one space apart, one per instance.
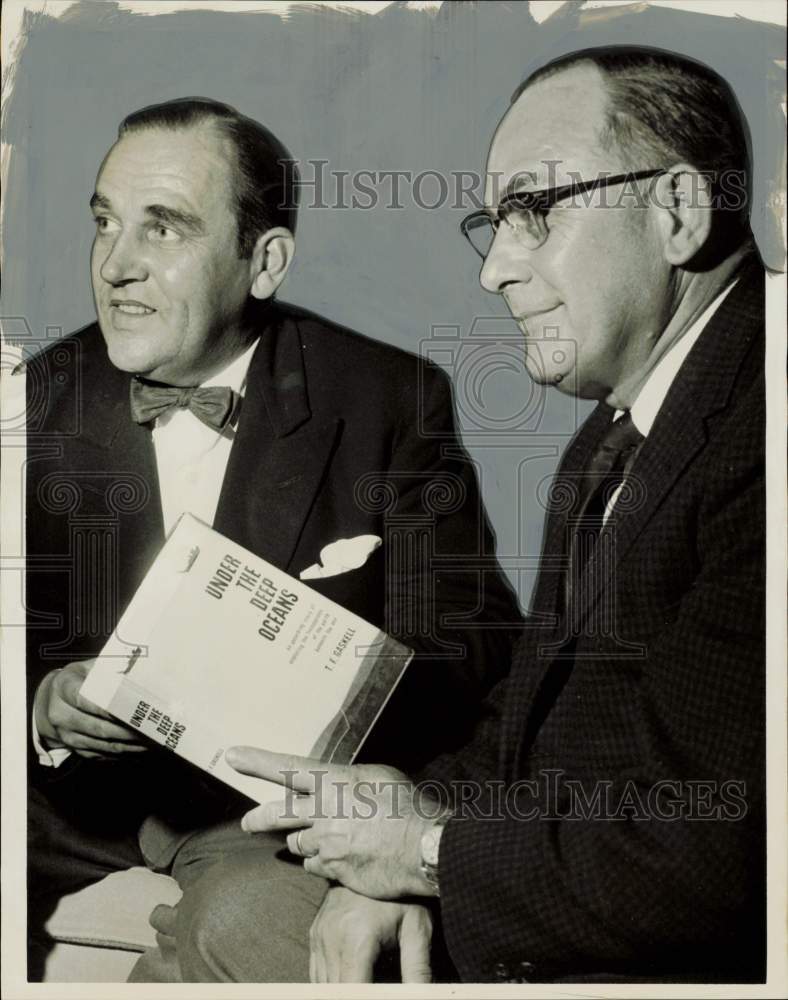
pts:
pixel 683 198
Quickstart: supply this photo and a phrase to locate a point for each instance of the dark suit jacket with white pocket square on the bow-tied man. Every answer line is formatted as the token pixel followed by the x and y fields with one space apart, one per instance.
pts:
pixel 339 436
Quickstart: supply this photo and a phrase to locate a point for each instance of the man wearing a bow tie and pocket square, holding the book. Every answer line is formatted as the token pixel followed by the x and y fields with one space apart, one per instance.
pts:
pixel 197 392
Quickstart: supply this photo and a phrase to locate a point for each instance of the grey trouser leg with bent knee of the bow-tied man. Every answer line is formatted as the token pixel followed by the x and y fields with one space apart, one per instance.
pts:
pixel 245 914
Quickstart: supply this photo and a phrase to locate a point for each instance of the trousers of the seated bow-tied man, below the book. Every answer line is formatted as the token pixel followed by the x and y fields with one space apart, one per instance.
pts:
pixel 245 914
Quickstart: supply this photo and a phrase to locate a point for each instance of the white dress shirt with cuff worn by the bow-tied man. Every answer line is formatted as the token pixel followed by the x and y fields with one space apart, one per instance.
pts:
pixel 191 459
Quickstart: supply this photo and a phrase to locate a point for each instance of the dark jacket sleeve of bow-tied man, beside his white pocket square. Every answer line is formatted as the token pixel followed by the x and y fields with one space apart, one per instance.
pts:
pixel 446 596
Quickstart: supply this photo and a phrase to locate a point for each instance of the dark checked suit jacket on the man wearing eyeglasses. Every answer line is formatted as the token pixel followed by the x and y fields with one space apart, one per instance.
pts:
pixel 657 675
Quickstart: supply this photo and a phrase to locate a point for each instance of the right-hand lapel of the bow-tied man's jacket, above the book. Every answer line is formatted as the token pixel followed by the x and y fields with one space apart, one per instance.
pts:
pixel 279 457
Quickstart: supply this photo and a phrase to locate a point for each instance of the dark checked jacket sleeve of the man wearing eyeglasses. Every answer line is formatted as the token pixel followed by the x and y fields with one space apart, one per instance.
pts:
pixel 665 868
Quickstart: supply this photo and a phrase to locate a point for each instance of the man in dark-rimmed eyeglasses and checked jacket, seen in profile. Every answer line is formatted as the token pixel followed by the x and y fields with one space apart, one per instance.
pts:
pixel 605 823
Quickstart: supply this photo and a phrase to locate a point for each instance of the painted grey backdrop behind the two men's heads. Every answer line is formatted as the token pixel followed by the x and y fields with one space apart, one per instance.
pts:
pixel 402 90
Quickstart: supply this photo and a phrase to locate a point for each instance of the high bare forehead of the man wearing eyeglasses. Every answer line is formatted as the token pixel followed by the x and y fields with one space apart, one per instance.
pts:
pixel 551 133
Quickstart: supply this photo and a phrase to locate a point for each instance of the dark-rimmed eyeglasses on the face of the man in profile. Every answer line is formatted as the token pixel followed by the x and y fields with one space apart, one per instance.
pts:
pixel 525 212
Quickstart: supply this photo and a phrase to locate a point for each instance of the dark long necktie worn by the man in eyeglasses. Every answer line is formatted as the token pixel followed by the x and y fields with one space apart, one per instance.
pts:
pixel 609 463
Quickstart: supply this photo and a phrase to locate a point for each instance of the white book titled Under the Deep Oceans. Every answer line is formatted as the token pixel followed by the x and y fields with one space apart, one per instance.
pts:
pixel 219 648
